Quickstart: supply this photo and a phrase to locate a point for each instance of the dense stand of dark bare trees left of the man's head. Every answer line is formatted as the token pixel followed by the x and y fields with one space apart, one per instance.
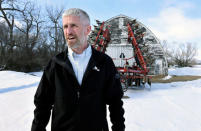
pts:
pixel 28 39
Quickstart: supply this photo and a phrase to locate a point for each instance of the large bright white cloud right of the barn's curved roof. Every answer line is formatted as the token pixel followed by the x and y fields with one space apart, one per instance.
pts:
pixel 173 25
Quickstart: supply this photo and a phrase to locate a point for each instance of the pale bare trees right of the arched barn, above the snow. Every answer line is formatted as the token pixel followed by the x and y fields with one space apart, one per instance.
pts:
pixel 182 55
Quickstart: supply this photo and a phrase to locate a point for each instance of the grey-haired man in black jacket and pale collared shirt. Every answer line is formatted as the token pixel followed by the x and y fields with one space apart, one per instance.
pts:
pixel 78 84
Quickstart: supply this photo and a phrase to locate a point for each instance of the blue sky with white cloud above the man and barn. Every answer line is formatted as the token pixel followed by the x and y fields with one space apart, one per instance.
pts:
pixel 172 20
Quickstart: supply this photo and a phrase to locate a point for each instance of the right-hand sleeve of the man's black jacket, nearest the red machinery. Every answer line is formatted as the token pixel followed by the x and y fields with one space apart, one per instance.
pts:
pixel 114 95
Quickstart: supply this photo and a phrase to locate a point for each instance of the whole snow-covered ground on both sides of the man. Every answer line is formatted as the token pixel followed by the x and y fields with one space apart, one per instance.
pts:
pixel 167 107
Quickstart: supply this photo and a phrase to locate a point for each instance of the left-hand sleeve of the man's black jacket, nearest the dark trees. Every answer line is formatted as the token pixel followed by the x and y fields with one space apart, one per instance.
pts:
pixel 43 101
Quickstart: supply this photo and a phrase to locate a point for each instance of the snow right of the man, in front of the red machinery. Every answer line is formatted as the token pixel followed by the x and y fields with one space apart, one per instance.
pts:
pixel 167 107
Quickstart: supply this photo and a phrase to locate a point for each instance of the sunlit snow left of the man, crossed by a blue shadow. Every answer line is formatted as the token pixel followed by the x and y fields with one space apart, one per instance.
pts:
pixel 16 100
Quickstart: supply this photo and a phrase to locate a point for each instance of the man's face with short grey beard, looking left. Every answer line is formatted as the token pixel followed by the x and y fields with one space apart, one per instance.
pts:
pixel 75 31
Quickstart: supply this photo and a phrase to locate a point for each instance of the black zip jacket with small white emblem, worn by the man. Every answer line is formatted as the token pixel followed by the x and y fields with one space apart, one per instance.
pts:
pixel 79 107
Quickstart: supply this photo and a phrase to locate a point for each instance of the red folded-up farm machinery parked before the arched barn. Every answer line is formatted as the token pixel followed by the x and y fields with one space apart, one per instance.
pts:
pixel 135 75
